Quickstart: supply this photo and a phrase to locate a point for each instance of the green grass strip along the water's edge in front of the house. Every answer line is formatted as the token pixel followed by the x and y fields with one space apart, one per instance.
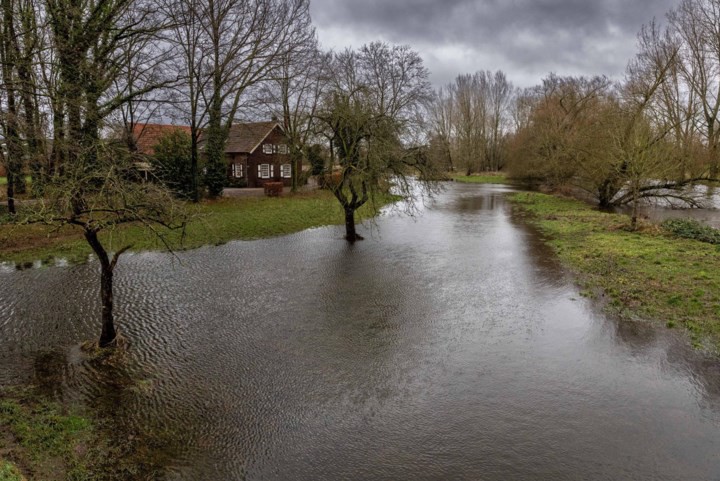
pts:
pixel 213 223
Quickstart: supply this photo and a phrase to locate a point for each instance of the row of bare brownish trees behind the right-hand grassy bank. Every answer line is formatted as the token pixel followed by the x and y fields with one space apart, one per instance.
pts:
pixel 649 134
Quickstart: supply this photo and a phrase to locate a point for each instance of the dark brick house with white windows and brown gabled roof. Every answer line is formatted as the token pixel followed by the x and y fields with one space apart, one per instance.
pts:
pixel 258 152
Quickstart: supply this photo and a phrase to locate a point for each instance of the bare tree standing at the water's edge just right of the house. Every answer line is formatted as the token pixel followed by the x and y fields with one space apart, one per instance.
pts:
pixel 370 113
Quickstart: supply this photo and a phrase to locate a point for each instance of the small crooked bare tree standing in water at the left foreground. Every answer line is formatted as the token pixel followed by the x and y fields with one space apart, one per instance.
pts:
pixel 100 198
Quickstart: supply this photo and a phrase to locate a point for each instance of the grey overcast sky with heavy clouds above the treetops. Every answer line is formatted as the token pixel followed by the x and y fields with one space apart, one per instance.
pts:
pixel 526 39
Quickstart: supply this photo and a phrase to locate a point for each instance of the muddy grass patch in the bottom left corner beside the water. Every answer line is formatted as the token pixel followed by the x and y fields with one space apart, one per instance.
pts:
pixel 43 440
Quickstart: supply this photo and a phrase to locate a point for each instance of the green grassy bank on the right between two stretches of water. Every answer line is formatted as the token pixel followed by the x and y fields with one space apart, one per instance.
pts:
pixel 649 274
